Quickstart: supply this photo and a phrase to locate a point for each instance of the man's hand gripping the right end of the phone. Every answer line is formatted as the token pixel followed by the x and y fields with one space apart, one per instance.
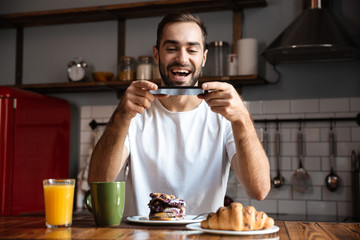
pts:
pixel 224 100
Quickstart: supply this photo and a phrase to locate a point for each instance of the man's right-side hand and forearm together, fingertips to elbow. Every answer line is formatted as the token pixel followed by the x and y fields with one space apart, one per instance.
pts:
pixel 250 162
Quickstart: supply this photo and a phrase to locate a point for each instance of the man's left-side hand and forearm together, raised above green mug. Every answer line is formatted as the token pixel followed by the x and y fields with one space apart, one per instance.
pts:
pixel 110 154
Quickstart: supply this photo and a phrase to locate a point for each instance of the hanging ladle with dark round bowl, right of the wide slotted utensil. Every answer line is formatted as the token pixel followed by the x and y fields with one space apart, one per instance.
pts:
pixel 332 180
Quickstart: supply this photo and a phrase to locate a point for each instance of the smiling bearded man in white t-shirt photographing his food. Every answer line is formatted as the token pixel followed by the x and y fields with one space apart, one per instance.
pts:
pixel 181 145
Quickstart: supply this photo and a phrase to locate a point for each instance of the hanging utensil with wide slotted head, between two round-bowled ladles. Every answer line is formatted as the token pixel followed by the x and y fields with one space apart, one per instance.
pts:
pixel 300 179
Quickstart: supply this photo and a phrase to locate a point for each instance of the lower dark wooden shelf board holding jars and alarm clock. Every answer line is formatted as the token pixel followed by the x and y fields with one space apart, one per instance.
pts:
pixel 93 86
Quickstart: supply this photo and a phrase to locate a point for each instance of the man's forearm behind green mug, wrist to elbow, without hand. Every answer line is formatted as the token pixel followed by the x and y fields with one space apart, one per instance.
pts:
pixel 109 154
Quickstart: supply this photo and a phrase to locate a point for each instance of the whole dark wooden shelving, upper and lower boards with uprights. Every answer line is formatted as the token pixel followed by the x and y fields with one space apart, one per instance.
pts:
pixel 119 13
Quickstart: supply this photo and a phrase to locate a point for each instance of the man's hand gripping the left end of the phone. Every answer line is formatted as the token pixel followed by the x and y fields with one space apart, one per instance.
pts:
pixel 137 98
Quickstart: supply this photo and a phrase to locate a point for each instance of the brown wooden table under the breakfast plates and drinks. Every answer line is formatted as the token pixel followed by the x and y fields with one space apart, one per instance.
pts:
pixel 33 227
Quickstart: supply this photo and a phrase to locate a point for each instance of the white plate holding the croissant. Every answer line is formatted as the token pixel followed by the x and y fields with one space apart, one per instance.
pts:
pixel 197 227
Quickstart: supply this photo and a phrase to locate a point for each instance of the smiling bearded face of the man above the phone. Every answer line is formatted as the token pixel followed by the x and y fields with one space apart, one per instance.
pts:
pixel 183 54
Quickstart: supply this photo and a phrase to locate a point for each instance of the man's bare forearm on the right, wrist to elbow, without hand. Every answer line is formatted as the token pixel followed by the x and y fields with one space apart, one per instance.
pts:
pixel 250 163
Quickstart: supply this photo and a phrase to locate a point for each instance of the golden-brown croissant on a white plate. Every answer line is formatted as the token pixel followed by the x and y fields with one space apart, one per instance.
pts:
pixel 235 217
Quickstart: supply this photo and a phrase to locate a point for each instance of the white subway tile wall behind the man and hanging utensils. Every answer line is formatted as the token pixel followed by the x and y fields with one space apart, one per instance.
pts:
pixel 318 200
